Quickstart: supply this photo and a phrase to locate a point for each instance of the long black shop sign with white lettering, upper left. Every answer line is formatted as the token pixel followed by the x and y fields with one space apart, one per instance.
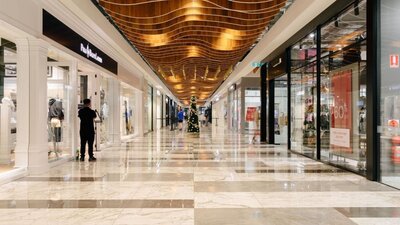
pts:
pixel 61 33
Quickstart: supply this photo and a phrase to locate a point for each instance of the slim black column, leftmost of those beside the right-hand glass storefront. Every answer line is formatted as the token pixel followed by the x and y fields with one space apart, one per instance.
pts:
pixel 263 94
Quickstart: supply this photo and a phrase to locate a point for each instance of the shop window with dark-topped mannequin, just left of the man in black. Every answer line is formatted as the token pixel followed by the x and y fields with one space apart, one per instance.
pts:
pixel 59 123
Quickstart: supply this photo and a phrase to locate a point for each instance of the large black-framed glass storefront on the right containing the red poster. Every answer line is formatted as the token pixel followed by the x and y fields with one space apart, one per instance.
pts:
pixel 316 91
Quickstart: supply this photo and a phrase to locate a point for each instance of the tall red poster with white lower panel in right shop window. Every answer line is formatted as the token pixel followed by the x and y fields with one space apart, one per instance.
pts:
pixel 341 111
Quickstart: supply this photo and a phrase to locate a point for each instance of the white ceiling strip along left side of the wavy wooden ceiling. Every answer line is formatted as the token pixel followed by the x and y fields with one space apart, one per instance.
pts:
pixel 100 28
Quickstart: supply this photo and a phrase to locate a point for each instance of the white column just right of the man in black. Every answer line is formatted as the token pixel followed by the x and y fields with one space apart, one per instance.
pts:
pixel 115 106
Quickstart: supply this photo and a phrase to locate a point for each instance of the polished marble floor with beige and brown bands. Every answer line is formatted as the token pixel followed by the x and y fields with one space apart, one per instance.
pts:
pixel 215 178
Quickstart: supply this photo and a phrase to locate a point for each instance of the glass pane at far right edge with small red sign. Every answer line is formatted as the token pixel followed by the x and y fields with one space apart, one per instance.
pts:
pixel 389 93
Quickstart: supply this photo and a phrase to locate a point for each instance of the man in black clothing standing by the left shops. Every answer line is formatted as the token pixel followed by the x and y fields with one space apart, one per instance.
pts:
pixel 87 116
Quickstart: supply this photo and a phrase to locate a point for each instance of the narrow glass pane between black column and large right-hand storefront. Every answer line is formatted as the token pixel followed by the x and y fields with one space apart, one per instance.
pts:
pixel 281 116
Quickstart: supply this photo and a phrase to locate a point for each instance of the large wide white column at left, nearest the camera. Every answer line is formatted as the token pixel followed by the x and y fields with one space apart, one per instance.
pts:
pixel 32 147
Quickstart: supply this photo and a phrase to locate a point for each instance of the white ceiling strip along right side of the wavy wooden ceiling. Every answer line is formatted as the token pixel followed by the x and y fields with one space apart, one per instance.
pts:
pixel 299 14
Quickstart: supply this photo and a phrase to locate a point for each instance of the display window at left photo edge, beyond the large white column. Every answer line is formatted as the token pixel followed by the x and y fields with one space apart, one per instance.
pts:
pixel 8 104
